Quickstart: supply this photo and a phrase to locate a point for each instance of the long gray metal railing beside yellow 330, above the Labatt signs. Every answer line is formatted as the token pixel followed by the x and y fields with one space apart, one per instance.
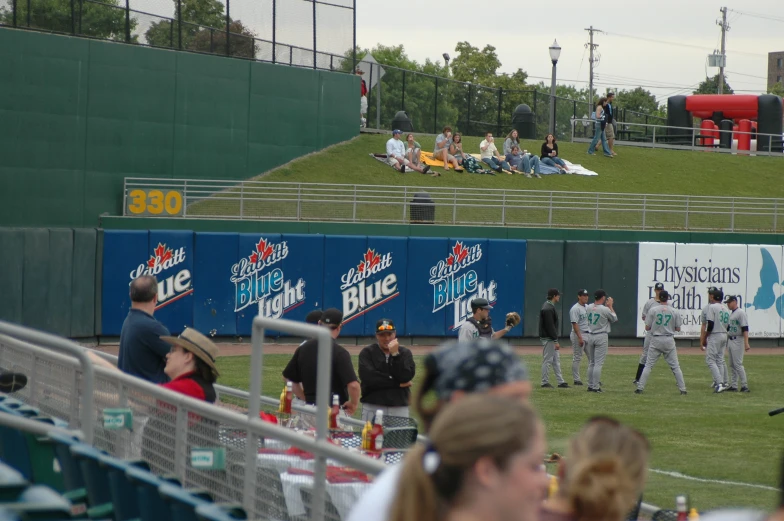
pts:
pixel 278 201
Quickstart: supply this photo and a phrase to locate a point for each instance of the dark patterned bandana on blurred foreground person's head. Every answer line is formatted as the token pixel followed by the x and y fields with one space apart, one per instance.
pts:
pixel 474 366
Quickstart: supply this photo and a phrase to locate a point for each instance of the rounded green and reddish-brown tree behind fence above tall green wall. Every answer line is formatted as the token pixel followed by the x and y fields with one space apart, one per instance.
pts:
pixel 203 29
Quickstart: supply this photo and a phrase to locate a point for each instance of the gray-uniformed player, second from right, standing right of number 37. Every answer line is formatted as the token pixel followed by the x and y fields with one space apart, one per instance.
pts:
pixel 713 337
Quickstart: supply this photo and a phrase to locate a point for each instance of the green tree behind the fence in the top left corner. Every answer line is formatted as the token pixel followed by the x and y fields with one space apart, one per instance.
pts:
pixel 104 20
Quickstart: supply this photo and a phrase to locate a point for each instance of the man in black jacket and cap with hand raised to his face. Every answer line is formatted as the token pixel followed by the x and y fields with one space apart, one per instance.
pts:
pixel 385 372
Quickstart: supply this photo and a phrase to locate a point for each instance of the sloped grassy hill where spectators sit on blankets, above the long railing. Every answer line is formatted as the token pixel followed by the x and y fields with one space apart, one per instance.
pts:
pixel 634 170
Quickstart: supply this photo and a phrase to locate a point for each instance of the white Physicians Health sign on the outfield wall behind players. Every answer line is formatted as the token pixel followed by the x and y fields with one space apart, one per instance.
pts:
pixel 752 273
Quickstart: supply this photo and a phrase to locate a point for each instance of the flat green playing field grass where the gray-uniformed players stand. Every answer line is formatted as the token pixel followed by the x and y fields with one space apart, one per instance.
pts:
pixel 727 437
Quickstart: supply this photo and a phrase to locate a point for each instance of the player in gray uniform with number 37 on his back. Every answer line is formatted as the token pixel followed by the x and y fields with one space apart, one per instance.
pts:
pixel 661 324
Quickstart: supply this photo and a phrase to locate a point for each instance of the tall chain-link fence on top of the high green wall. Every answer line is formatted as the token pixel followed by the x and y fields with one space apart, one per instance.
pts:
pixel 307 33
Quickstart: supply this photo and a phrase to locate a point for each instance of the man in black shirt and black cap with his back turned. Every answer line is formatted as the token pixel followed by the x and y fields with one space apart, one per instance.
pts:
pixel 302 368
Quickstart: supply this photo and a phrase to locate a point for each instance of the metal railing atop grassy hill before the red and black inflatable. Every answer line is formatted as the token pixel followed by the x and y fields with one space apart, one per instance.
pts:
pixel 684 138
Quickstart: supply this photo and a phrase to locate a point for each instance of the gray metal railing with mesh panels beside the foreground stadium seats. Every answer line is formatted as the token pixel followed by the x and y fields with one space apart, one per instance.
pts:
pixel 167 426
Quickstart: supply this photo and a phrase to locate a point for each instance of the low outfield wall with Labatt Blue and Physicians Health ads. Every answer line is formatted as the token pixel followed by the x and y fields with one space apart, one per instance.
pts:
pixel 75 282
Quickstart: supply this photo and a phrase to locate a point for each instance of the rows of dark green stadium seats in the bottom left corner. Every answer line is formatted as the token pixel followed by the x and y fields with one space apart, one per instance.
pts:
pixel 85 482
